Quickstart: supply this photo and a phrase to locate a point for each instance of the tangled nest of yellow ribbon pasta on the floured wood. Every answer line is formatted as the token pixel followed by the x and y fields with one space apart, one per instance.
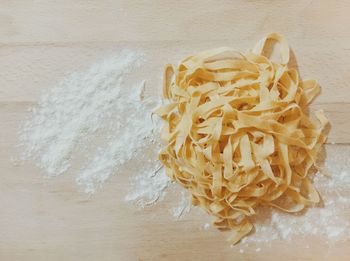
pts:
pixel 237 134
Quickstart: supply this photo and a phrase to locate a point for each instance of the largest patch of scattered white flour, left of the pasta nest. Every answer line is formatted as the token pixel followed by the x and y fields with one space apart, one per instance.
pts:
pixel 100 113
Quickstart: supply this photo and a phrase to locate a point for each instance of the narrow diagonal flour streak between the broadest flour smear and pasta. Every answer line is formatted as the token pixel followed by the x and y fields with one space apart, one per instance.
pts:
pixel 134 132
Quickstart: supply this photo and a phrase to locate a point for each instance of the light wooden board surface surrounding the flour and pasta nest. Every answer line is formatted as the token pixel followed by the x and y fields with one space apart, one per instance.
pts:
pixel 40 41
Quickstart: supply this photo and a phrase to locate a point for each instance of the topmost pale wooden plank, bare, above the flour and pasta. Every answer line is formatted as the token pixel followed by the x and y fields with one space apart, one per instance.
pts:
pixel 24 21
